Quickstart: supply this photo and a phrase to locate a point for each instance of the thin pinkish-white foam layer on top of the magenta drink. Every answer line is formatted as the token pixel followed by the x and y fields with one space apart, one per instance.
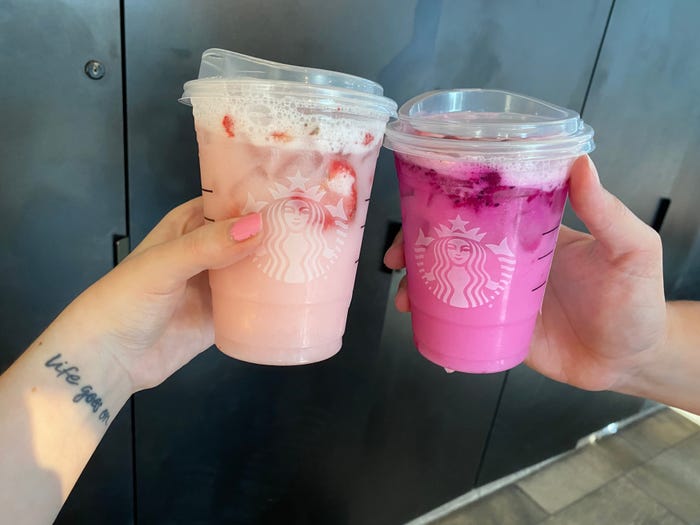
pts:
pixel 545 174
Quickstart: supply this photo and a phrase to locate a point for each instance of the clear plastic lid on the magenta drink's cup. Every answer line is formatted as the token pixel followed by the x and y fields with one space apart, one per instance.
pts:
pixel 468 122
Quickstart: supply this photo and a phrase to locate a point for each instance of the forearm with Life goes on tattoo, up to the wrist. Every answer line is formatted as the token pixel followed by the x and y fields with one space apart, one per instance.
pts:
pixel 56 403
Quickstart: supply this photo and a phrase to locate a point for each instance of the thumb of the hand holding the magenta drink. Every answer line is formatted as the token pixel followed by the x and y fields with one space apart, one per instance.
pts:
pixel 611 223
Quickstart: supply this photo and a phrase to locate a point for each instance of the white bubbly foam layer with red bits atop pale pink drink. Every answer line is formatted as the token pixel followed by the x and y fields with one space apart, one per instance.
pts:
pixel 288 122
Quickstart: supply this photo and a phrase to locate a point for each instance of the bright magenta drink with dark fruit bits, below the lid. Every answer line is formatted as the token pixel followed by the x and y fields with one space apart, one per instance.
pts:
pixel 479 242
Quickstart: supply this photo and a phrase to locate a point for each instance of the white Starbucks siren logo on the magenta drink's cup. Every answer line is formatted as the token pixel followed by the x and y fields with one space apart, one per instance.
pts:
pixel 459 269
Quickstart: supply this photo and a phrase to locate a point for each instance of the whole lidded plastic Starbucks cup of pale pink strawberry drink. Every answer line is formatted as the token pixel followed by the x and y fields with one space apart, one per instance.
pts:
pixel 299 146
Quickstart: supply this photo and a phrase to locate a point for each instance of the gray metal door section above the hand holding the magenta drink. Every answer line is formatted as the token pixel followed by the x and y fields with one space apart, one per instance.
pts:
pixel 643 105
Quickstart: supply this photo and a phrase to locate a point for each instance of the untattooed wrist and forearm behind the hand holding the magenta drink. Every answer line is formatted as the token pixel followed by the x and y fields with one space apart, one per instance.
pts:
pixel 671 375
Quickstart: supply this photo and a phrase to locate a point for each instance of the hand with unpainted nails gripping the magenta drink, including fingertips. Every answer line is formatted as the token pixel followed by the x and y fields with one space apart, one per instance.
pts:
pixel 604 314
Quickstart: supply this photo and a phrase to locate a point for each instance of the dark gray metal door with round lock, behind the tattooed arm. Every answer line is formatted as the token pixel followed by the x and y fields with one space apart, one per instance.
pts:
pixel 62 197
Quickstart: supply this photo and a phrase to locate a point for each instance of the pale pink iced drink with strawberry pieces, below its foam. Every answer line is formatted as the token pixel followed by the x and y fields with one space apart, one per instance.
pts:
pixel 287 303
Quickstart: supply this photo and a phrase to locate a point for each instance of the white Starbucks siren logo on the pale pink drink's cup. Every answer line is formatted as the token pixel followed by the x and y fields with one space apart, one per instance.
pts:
pixel 302 237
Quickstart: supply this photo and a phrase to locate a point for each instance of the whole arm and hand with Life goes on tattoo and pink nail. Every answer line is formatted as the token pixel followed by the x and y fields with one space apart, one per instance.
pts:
pixel 128 331
